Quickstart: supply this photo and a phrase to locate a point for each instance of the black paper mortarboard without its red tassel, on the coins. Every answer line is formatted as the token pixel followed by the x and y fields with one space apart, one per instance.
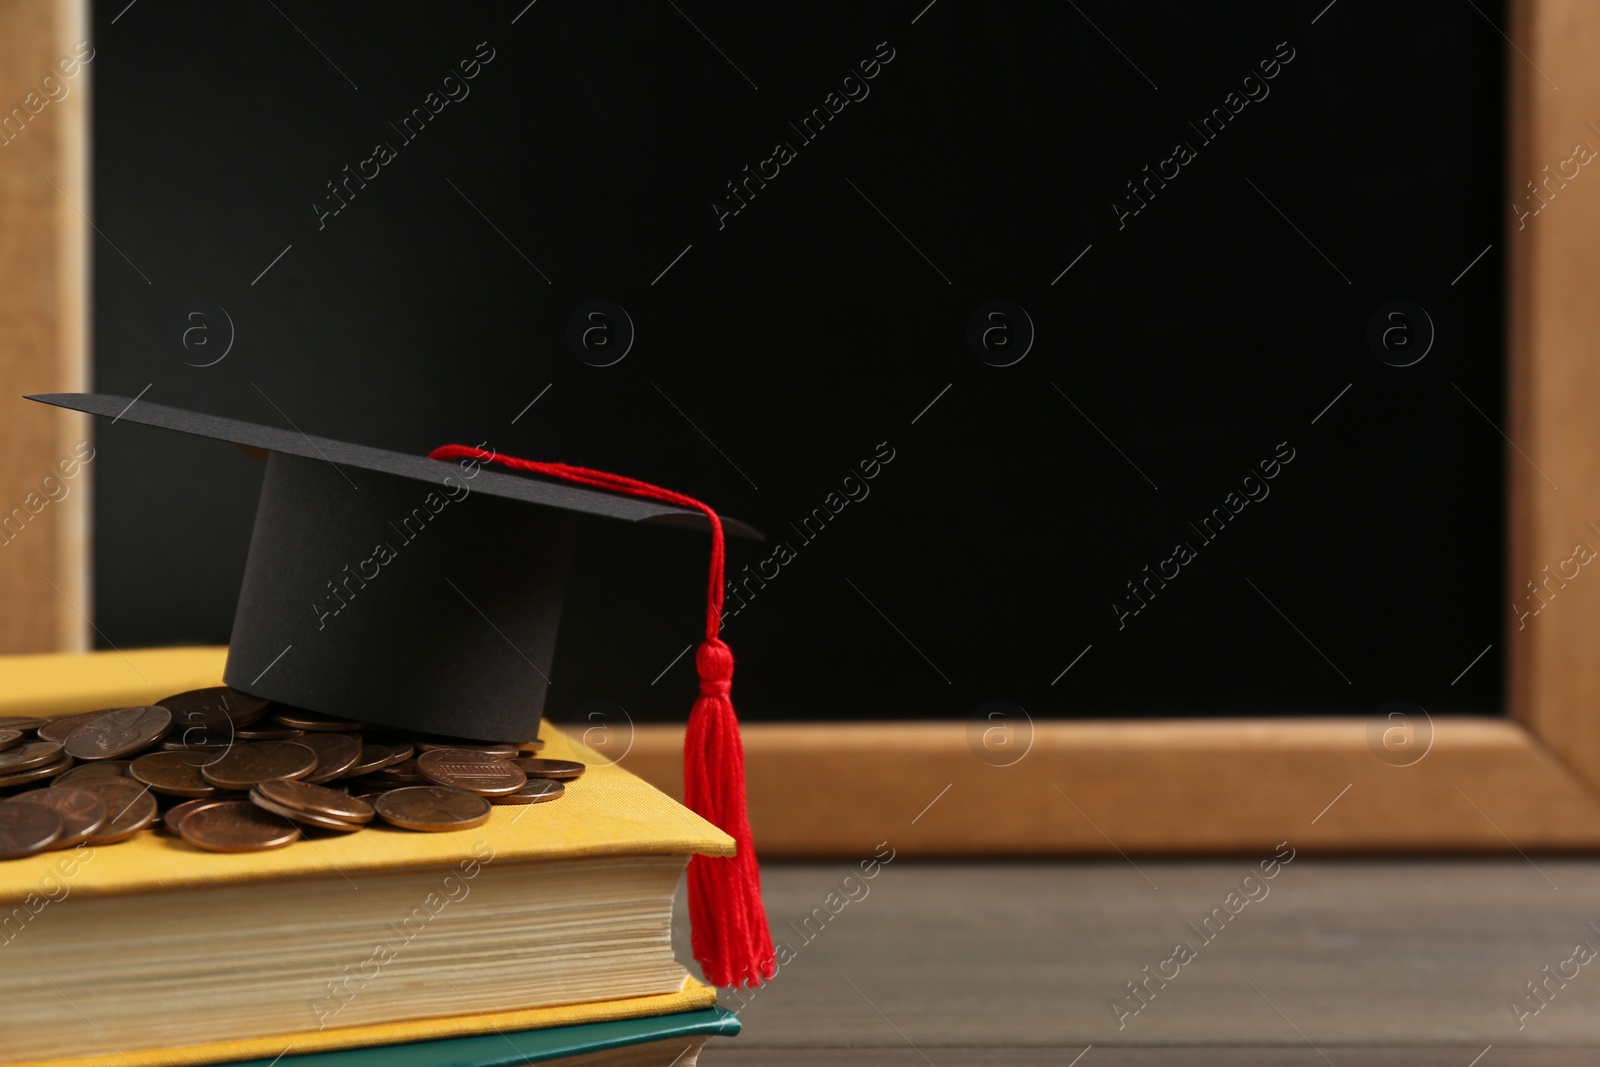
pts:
pixel 398 589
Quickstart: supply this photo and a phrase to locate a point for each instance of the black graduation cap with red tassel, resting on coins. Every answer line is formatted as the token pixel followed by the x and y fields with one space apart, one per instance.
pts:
pixel 425 594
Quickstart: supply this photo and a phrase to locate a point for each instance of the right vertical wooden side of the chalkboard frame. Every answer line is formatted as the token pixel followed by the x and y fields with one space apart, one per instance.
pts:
pixel 1553 377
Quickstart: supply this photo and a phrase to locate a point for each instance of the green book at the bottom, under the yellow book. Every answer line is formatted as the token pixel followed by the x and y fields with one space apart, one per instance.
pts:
pixel 652 1042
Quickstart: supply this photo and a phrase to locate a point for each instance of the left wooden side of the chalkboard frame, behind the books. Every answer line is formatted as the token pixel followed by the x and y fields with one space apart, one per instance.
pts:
pixel 44 327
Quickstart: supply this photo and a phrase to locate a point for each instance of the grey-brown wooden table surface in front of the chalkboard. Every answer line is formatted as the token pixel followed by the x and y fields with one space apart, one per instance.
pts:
pixel 1335 962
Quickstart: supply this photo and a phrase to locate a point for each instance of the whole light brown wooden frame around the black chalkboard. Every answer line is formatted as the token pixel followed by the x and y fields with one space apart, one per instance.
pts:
pixel 1086 788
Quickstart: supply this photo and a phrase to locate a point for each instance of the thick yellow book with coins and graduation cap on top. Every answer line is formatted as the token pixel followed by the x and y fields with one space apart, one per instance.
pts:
pixel 151 953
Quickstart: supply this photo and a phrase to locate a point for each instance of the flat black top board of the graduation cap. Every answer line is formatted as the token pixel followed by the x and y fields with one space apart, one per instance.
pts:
pixel 382 460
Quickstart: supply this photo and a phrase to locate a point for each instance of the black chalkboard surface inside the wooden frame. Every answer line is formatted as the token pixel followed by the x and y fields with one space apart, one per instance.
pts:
pixel 1106 359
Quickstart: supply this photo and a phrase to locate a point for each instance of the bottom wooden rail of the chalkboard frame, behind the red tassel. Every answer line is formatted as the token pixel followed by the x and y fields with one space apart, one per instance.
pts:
pixel 1148 788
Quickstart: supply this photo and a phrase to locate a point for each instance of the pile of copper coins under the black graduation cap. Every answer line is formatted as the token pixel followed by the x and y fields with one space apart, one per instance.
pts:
pixel 234 773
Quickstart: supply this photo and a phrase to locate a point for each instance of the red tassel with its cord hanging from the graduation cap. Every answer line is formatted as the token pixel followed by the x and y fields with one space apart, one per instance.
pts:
pixel 729 924
